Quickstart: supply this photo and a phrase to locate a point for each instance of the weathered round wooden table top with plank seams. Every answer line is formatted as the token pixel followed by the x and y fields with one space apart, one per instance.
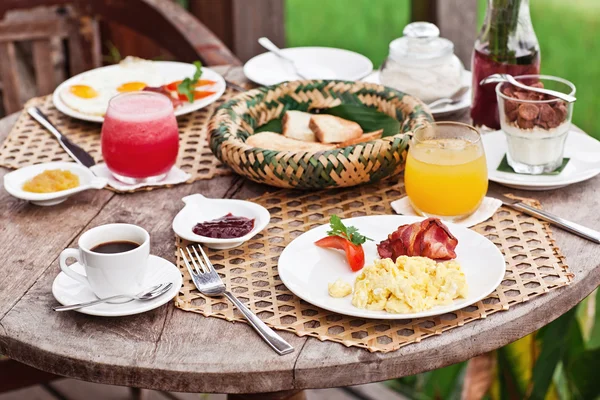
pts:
pixel 169 349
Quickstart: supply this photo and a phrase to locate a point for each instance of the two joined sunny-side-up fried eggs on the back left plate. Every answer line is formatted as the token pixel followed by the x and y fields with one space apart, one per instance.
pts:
pixel 92 92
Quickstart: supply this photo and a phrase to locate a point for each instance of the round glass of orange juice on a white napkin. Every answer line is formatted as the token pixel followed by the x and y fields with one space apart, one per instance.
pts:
pixel 446 173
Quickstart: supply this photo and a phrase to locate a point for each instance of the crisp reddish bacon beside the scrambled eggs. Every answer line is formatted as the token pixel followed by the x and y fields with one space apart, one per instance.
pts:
pixel 429 238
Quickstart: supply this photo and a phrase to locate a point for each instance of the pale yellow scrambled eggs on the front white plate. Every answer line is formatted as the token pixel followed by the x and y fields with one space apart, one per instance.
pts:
pixel 412 284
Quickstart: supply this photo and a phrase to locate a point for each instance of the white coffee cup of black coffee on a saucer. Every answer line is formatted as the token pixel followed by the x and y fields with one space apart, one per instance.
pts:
pixel 110 274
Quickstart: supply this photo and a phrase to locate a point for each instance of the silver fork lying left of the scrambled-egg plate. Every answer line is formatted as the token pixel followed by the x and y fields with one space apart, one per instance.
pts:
pixel 209 283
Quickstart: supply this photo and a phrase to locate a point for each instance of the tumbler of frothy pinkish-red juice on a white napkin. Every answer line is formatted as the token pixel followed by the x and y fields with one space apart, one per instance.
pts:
pixel 140 139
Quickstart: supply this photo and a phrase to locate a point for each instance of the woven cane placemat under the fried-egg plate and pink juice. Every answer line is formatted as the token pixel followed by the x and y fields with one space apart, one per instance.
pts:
pixel 29 143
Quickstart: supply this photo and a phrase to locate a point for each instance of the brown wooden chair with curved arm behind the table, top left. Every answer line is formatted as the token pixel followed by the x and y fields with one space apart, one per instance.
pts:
pixel 48 23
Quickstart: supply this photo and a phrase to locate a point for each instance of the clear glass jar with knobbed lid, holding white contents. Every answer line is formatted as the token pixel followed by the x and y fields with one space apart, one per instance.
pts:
pixel 422 64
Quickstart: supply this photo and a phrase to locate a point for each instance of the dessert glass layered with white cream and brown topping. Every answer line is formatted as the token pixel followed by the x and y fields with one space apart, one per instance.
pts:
pixel 536 125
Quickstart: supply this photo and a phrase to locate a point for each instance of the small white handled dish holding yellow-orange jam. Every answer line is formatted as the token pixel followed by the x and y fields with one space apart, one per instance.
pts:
pixel 14 181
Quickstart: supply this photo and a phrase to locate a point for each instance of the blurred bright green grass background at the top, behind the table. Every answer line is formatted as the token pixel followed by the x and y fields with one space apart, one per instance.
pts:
pixel 567 32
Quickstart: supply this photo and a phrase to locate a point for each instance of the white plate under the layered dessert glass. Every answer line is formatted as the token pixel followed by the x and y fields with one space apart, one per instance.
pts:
pixel 582 149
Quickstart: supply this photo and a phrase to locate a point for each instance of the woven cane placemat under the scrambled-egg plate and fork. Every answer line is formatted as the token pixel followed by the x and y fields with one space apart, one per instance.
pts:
pixel 534 267
